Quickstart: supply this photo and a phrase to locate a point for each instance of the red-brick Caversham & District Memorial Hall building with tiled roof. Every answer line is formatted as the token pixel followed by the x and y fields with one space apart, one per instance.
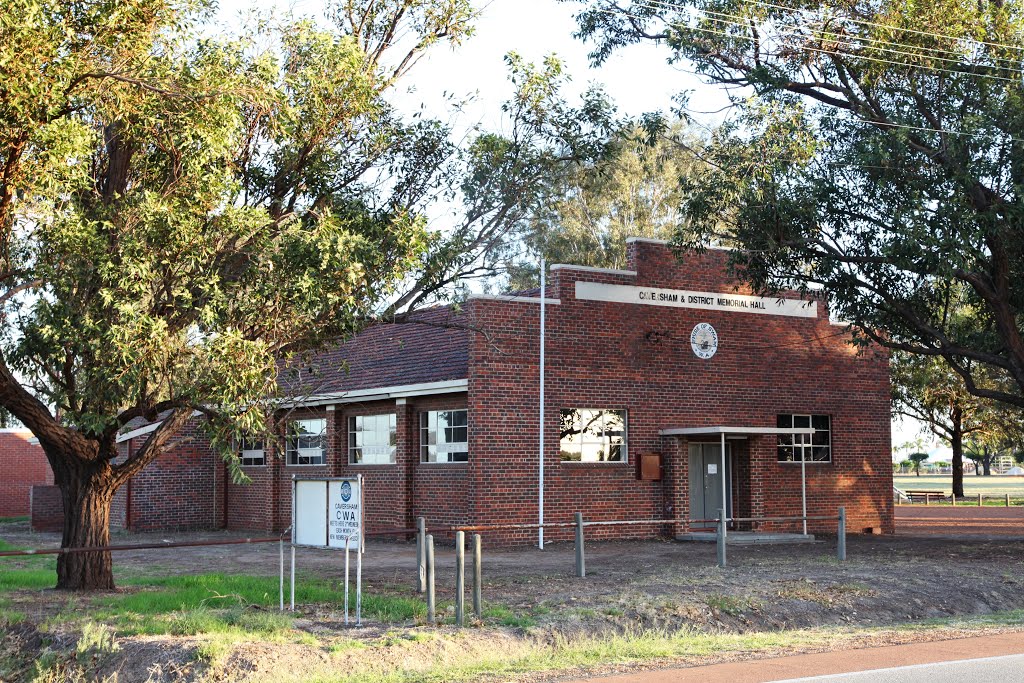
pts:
pixel 649 373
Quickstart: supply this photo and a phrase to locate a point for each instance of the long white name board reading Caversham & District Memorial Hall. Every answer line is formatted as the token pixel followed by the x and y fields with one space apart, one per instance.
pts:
pixel 655 296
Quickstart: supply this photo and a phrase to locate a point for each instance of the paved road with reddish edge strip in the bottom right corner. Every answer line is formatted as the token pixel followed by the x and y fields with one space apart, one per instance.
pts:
pixel 996 659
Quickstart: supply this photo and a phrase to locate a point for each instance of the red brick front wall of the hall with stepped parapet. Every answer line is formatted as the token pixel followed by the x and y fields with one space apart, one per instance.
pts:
pixel 638 358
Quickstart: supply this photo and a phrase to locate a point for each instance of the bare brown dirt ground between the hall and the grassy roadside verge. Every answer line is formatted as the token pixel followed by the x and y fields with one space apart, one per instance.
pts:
pixel 630 587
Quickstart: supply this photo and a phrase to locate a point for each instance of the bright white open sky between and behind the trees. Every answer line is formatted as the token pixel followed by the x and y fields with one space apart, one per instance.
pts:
pixel 637 78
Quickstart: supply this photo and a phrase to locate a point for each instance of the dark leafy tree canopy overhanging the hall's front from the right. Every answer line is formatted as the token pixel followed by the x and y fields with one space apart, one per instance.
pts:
pixel 876 152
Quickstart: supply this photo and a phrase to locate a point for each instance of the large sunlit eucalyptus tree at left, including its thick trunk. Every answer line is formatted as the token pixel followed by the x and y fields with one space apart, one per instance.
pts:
pixel 180 215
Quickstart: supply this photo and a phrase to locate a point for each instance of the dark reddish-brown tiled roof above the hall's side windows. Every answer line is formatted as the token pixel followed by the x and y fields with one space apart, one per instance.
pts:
pixel 429 348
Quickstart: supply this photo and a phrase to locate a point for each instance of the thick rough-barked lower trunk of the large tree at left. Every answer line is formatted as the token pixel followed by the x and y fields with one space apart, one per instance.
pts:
pixel 88 490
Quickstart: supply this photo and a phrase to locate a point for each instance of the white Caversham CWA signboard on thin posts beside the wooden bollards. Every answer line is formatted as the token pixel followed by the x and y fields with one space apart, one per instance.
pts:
pixel 327 511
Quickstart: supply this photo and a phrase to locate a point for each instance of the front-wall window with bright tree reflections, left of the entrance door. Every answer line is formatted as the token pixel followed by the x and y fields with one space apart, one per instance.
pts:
pixel 592 436
